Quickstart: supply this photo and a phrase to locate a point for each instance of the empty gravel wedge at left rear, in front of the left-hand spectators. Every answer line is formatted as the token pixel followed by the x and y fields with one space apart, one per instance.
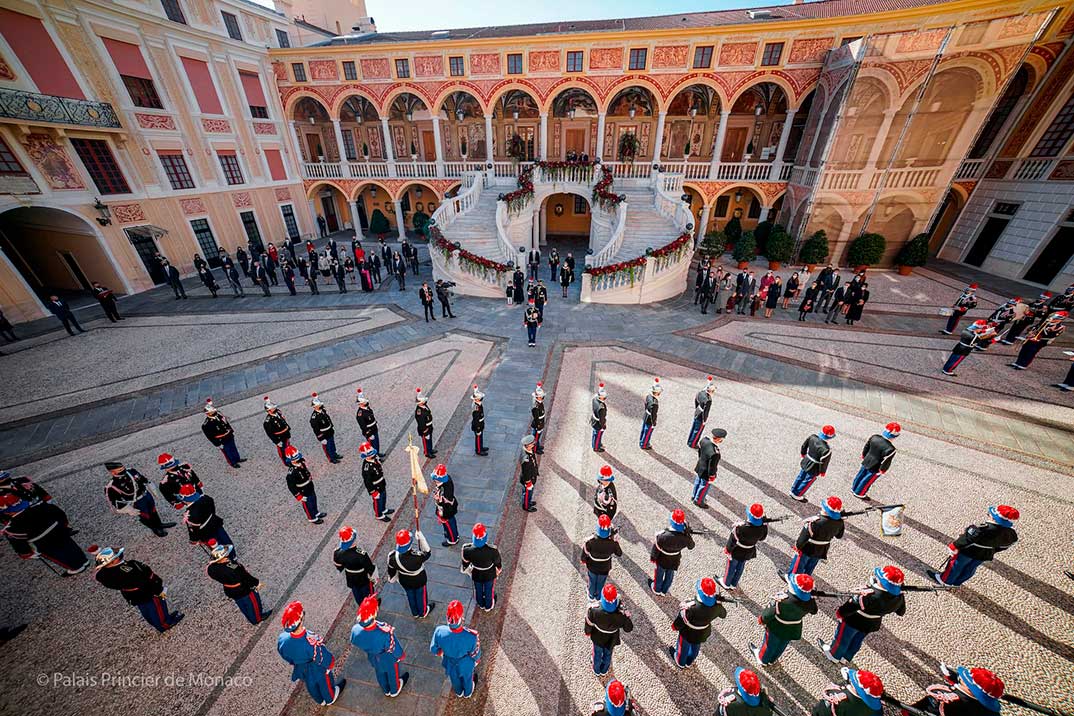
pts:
pixel 147 352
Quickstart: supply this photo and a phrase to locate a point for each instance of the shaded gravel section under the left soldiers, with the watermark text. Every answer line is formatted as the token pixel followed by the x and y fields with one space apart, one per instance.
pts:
pixel 79 629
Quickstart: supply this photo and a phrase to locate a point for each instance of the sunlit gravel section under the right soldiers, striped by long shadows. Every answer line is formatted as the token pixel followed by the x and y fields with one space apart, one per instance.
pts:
pixel 1017 618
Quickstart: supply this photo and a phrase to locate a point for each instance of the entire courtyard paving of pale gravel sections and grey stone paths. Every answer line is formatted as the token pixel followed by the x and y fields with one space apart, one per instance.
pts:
pixel 960 452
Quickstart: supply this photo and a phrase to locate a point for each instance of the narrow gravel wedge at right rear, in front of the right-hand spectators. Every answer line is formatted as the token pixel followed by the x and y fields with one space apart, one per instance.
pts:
pixel 916 362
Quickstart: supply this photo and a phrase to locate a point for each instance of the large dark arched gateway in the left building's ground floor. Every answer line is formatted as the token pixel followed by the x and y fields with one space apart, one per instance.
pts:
pixel 56 253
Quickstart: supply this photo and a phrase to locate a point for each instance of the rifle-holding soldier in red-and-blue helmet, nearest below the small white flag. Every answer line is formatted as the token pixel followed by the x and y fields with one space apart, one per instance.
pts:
pixel 860 617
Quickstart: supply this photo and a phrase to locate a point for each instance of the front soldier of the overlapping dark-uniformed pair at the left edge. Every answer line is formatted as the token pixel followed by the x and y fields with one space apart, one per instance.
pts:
pixel 41 531
